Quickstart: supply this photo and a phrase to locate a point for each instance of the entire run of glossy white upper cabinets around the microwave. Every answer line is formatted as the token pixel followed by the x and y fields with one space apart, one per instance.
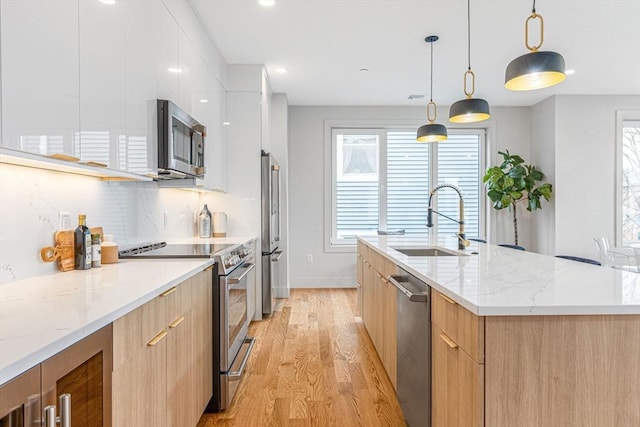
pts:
pixel 81 77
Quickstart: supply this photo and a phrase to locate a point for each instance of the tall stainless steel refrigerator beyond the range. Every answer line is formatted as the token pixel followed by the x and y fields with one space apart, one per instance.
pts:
pixel 271 252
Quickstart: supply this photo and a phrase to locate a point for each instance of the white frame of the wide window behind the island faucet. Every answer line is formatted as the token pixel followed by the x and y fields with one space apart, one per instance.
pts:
pixel 381 127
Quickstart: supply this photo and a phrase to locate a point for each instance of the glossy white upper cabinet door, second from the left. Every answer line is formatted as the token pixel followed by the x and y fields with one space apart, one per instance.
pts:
pixel 102 82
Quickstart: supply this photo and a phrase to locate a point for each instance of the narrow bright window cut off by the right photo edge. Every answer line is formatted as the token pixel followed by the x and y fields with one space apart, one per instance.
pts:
pixel 629 179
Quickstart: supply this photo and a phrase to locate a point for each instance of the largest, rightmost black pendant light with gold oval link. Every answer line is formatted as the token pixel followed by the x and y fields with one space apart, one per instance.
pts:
pixel 535 70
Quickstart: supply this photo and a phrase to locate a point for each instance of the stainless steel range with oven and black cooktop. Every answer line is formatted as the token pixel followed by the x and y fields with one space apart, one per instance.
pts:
pixel 234 272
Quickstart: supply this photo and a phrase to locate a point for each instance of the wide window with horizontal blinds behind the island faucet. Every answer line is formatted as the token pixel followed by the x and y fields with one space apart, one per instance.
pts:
pixel 381 179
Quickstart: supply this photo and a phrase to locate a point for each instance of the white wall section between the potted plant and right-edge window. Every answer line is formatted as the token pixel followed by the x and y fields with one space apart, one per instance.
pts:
pixel 585 170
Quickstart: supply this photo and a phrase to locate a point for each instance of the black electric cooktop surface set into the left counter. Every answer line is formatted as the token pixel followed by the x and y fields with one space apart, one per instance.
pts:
pixel 163 250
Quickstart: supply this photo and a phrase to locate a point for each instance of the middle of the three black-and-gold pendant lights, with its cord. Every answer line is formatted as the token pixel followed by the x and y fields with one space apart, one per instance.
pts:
pixel 470 109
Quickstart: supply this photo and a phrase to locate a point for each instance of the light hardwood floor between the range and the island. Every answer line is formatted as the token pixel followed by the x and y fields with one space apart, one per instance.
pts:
pixel 312 365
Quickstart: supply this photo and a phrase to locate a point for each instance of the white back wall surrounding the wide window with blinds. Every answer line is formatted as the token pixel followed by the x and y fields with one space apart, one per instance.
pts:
pixel 509 128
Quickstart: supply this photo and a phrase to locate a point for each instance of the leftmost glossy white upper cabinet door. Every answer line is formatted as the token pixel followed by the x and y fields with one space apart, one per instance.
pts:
pixel 40 75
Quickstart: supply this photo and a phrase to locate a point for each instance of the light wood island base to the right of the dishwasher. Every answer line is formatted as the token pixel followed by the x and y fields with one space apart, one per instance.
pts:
pixel 528 371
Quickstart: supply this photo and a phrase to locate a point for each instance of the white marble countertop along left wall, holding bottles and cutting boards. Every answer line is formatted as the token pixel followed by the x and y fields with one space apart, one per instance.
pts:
pixel 43 315
